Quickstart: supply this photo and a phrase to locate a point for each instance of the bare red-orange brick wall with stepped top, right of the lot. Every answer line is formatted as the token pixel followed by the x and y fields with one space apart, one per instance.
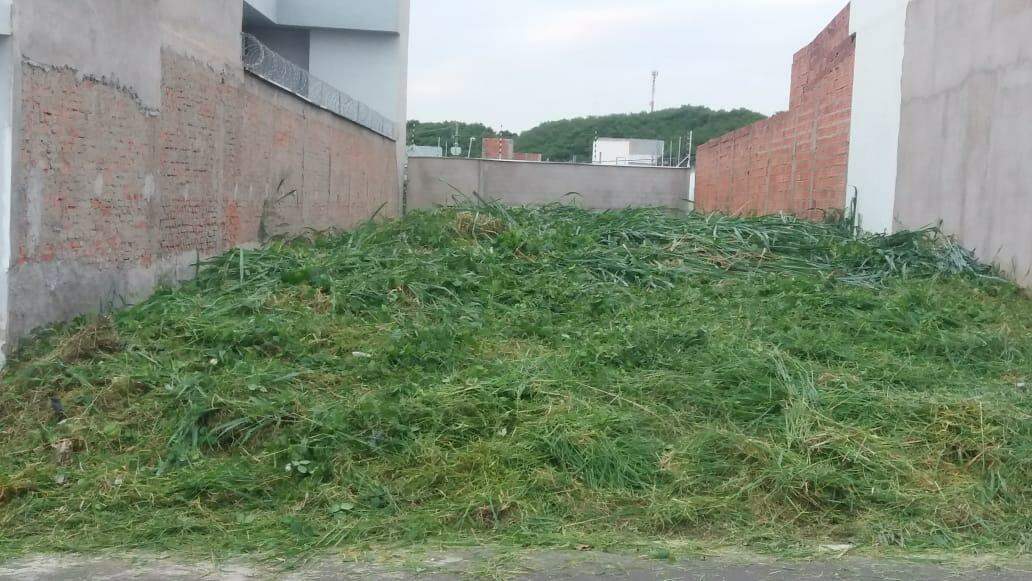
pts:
pixel 796 162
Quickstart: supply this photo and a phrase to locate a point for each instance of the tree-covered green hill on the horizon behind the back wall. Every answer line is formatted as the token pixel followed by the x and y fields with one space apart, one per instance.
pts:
pixel 572 139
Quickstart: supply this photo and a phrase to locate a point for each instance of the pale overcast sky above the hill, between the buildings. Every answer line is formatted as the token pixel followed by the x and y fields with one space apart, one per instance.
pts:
pixel 513 64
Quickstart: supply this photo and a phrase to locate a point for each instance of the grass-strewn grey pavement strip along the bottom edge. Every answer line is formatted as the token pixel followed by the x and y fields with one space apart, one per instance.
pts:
pixel 490 565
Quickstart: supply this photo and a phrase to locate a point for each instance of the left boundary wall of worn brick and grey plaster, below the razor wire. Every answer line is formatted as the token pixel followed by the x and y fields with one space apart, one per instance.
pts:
pixel 125 175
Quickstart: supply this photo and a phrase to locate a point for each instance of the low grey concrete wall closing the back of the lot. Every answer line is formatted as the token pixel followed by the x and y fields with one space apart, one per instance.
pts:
pixel 515 183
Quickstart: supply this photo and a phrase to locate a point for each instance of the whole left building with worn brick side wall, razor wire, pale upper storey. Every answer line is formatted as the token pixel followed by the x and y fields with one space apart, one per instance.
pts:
pixel 140 139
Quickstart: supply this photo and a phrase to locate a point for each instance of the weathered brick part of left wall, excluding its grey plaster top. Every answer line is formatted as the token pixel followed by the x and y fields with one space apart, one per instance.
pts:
pixel 113 199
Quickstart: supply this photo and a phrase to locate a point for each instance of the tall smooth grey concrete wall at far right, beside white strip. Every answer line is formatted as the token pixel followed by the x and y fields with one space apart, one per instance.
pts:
pixel 966 134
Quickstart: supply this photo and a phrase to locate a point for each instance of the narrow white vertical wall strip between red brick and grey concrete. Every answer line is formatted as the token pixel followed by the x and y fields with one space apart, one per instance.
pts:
pixel 881 30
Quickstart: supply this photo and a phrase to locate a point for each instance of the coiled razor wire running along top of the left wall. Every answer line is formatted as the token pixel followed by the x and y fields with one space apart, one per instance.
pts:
pixel 263 61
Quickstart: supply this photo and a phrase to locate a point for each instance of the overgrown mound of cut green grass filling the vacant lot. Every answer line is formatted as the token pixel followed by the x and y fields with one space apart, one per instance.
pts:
pixel 538 377
